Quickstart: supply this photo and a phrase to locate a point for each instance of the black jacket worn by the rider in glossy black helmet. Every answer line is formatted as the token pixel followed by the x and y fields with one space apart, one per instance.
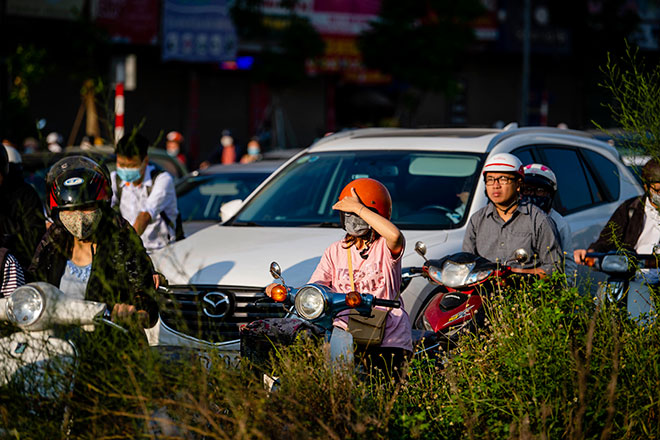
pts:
pixel 121 269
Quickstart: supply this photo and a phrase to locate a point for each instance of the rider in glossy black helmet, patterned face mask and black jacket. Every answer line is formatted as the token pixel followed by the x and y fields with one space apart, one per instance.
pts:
pixel 91 252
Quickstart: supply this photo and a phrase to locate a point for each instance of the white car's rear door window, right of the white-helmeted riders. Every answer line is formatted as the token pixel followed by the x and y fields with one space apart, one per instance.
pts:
pixel 572 186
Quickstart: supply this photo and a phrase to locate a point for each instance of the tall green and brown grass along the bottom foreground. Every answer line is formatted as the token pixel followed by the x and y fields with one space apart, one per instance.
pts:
pixel 554 364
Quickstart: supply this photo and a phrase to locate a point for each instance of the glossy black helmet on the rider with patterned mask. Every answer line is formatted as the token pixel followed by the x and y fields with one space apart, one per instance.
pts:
pixel 77 182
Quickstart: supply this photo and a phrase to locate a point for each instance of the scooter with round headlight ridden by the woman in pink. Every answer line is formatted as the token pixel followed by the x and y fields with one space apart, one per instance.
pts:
pixel 311 309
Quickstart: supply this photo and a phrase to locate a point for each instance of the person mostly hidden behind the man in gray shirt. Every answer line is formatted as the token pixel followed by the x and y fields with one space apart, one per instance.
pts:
pixel 539 188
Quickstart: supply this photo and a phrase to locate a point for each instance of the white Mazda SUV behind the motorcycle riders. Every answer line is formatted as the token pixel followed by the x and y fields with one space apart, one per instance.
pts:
pixel 434 177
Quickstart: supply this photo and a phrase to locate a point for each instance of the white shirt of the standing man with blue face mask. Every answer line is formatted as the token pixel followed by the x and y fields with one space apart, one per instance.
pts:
pixel 135 199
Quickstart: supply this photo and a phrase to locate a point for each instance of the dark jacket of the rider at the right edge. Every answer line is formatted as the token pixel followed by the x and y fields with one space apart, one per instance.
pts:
pixel 624 227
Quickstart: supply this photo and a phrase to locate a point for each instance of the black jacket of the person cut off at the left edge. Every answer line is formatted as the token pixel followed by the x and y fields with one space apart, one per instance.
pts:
pixel 22 223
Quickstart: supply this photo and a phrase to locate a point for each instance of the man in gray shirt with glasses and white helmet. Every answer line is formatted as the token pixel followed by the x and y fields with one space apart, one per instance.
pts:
pixel 498 230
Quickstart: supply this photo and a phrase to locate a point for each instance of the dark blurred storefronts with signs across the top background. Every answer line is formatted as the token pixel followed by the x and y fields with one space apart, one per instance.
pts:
pixel 290 71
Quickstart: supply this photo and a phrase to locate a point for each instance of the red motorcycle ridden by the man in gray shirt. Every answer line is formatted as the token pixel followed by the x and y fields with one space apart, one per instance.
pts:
pixel 457 307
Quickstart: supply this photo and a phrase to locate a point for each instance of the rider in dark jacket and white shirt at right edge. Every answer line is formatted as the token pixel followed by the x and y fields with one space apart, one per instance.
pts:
pixel 635 225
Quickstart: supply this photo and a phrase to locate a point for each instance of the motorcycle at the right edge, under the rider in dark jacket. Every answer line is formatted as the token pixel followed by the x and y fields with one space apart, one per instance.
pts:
pixel 626 286
